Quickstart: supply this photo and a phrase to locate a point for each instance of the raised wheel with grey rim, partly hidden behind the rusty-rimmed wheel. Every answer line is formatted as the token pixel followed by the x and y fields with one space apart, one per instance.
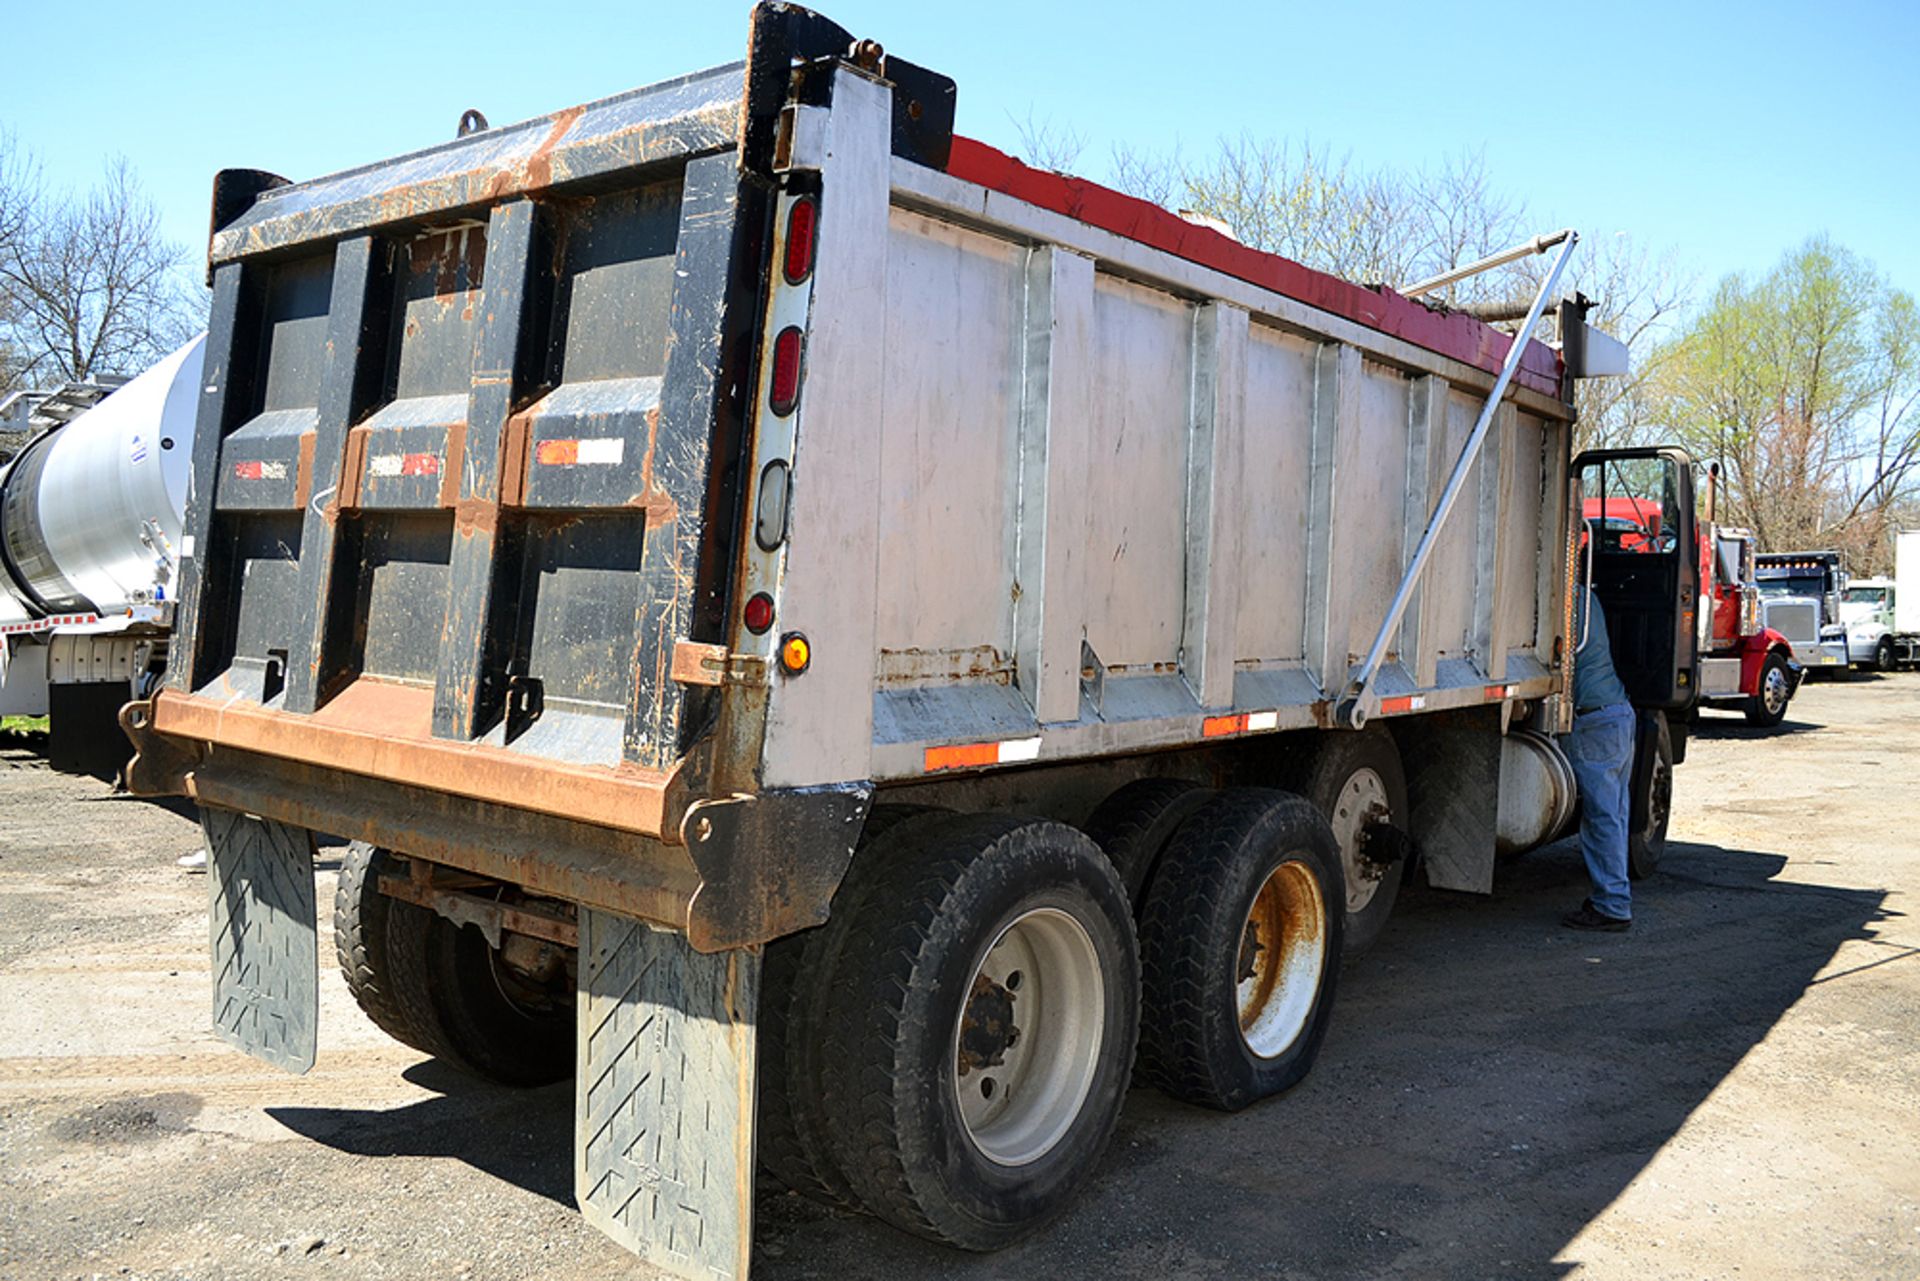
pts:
pixel 1356 783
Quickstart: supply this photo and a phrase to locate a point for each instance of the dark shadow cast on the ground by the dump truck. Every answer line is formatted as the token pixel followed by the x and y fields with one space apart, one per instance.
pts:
pixel 1491 1086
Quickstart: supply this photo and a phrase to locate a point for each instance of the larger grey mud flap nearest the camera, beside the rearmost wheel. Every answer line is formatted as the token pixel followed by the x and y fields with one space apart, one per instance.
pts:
pixel 663 1101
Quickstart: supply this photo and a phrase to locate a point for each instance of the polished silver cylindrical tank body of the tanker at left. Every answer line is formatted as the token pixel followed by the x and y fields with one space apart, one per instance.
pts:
pixel 91 514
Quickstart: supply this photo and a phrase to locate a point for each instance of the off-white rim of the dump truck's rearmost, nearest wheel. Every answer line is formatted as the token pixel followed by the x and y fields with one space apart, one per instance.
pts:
pixel 1028 1040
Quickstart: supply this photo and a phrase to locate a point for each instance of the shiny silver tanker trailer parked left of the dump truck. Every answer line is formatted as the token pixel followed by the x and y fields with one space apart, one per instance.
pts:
pixel 91 521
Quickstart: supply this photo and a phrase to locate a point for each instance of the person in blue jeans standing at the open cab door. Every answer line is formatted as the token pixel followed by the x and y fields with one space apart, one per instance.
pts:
pixel 1602 756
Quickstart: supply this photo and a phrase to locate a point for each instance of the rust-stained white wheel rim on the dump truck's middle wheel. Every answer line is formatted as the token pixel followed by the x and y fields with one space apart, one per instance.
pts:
pixel 1284 954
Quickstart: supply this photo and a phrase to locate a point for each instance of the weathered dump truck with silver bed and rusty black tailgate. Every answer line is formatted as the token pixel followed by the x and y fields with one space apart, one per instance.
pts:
pixel 855 648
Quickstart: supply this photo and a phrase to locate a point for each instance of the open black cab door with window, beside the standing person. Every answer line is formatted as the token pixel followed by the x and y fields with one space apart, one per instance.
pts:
pixel 1644 558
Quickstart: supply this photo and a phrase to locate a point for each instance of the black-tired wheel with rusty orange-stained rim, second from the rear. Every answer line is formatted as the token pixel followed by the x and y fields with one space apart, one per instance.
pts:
pixel 1239 950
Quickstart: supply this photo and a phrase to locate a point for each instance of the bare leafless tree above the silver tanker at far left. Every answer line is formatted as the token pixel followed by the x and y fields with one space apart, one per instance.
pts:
pixel 89 283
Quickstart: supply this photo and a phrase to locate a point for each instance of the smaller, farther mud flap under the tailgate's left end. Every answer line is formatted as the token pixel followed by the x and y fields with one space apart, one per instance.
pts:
pixel 266 938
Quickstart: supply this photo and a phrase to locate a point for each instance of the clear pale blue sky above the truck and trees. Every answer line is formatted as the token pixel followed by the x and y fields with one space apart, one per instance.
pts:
pixel 1723 132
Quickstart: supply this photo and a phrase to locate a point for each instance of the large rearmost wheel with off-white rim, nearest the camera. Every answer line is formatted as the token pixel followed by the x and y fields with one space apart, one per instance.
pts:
pixel 984 1019
